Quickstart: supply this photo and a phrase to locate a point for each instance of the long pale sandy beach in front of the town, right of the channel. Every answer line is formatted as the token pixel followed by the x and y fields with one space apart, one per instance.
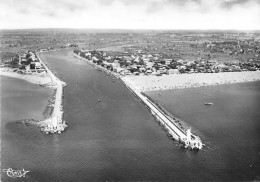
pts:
pixel 178 81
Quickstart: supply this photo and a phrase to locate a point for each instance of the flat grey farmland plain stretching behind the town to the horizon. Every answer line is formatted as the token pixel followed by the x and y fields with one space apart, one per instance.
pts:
pixel 186 45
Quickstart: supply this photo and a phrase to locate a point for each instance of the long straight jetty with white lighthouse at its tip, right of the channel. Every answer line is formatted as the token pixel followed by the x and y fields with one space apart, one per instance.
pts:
pixel 188 139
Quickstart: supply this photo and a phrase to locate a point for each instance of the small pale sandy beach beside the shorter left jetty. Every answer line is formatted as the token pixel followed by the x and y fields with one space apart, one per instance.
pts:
pixel 33 78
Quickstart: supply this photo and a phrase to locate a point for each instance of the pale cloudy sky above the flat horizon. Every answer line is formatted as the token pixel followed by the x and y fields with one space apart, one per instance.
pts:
pixel 131 14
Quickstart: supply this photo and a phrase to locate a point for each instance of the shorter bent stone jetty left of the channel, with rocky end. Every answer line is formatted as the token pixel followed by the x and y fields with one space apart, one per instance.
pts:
pixel 55 124
